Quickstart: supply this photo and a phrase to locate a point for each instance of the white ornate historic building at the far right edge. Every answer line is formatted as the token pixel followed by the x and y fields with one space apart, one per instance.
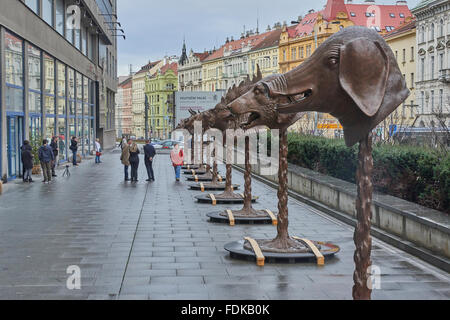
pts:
pixel 433 65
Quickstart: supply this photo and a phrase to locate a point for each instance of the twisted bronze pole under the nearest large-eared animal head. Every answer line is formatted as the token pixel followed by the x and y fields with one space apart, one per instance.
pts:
pixel 362 237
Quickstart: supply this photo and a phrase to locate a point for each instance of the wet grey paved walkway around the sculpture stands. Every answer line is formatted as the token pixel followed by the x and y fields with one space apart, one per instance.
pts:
pixel 153 241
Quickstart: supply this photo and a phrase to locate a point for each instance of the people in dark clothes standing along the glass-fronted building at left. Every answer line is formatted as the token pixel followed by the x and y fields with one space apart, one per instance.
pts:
pixel 48 157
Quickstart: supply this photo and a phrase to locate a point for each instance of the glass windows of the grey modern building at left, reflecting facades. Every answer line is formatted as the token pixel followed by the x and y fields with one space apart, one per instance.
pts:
pixel 43 96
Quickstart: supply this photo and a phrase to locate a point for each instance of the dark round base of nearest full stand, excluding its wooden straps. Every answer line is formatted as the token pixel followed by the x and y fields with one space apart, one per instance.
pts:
pixel 238 250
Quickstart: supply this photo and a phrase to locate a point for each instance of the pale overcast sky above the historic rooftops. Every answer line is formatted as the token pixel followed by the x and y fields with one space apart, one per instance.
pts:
pixel 155 28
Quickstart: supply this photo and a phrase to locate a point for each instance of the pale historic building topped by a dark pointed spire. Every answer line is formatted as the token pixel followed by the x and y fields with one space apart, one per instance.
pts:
pixel 190 70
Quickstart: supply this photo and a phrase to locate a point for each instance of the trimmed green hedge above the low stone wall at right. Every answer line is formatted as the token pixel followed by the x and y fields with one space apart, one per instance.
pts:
pixel 412 173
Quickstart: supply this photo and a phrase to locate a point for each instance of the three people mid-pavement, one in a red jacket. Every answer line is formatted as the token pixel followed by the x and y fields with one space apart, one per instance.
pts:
pixel 130 157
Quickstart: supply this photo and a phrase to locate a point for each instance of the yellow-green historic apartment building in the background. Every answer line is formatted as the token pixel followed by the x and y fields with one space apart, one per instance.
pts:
pixel 160 89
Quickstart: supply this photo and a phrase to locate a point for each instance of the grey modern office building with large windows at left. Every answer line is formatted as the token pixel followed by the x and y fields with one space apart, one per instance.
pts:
pixel 58 63
